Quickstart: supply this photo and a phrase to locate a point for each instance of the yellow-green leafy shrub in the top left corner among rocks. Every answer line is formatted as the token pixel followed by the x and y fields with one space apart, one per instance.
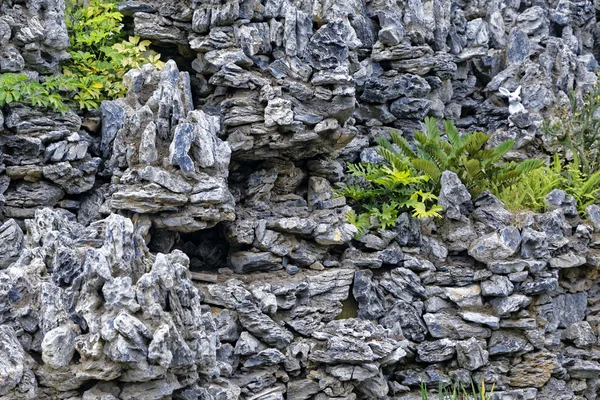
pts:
pixel 100 56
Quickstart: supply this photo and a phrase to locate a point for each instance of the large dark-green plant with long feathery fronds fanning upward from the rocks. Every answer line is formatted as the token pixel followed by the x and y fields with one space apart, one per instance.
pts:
pixel 477 167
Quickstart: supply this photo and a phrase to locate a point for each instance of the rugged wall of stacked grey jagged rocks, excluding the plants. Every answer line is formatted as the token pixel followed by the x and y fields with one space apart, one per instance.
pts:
pixel 184 242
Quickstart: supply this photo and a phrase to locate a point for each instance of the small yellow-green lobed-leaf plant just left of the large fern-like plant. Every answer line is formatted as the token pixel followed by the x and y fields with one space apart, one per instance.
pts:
pixel 384 192
